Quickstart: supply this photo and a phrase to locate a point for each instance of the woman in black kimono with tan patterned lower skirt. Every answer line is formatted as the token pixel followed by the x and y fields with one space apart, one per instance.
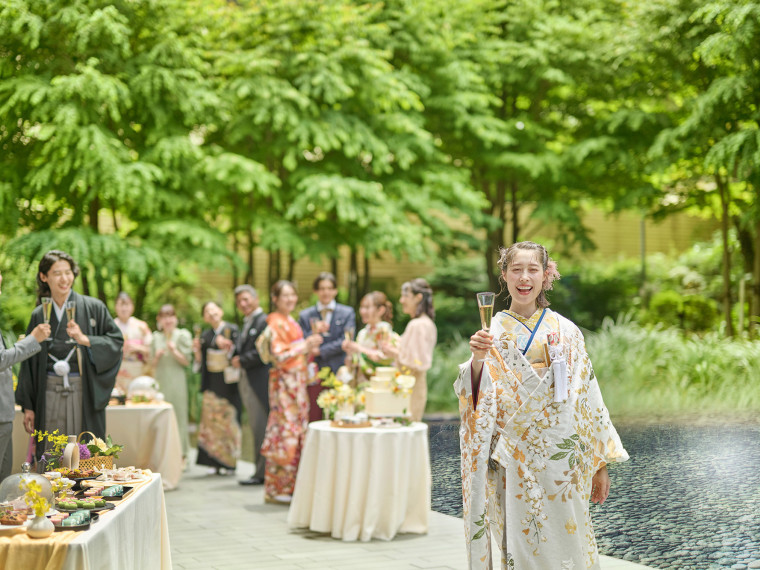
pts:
pixel 219 434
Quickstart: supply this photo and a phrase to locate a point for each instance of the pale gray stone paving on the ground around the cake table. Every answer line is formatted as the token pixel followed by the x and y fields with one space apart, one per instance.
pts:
pixel 216 523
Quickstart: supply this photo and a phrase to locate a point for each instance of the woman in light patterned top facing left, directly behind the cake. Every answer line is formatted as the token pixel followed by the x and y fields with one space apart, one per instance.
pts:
pixel 365 353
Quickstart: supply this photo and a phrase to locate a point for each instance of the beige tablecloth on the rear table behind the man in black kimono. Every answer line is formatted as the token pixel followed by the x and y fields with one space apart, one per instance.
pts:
pixel 148 432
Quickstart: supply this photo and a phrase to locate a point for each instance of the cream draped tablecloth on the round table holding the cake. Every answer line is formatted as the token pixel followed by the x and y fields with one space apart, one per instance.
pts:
pixel 363 483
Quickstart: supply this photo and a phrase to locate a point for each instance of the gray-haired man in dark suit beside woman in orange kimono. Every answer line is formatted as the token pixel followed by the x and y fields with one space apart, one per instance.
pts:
pixel 254 385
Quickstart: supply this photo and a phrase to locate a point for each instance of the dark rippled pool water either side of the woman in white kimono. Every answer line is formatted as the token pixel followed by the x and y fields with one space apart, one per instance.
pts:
pixel 688 498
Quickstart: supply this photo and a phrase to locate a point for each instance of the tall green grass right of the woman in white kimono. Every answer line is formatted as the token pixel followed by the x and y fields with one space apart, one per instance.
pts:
pixel 643 370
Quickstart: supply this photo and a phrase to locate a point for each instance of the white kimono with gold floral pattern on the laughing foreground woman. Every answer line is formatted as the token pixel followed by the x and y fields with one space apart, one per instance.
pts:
pixel 528 460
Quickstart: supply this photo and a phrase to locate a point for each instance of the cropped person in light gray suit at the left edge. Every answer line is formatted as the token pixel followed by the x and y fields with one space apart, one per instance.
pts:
pixel 22 350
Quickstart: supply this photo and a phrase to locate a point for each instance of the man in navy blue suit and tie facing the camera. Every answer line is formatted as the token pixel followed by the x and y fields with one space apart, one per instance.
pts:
pixel 338 318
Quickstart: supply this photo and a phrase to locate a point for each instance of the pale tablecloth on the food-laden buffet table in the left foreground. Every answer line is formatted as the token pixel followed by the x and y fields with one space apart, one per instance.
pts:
pixel 133 535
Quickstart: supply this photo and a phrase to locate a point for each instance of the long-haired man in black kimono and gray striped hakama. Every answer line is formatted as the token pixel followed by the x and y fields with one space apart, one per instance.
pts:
pixel 67 385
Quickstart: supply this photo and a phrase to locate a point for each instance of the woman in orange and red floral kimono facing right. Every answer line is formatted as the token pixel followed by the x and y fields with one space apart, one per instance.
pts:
pixel 288 399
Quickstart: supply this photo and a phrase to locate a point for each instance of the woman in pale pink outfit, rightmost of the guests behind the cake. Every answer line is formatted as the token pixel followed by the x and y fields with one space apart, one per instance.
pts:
pixel 414 353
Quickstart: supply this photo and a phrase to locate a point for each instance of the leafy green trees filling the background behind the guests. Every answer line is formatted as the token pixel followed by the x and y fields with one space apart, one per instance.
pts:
pixel 155 139
